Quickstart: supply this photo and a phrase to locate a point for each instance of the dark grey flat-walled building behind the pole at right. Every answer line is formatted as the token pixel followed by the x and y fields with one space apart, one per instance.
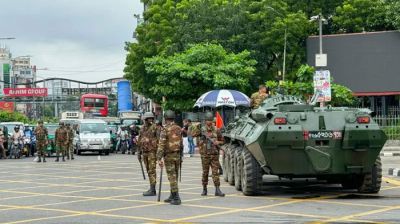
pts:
pixel 366 63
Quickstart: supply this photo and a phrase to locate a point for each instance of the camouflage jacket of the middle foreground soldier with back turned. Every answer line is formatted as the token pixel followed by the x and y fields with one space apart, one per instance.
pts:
pixel 170 140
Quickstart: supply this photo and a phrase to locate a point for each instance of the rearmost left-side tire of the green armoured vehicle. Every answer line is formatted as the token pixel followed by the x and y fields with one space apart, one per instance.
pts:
pixel 251 174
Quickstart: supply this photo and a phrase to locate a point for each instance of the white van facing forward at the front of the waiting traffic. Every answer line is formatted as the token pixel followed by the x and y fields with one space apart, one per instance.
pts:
pixel 94 136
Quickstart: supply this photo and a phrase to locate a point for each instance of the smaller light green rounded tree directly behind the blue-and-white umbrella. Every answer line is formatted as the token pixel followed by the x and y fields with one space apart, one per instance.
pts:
pixel 183 77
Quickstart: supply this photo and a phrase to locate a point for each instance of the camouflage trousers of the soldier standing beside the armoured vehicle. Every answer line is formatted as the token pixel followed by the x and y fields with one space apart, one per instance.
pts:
pixel 212 161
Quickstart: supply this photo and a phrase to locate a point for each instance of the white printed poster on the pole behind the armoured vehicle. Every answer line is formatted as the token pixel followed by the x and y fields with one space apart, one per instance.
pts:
pixel 322 85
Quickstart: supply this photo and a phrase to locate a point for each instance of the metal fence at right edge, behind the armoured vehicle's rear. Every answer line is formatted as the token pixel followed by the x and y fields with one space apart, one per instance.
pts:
pixel 390 124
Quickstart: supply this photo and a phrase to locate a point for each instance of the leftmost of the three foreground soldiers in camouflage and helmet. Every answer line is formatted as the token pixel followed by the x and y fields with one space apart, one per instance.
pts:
pixel 147 143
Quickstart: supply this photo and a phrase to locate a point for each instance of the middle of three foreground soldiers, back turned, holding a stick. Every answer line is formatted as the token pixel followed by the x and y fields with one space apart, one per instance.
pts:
pixel 169 147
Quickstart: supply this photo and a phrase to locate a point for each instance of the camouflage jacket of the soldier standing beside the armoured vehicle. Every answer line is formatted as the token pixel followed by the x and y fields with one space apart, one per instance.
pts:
pixel 207 146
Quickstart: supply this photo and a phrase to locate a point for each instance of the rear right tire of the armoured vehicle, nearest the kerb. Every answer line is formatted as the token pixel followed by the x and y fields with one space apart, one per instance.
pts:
pixel 372 181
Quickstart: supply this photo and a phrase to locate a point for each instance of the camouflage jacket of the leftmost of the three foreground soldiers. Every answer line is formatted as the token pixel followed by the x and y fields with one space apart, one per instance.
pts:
pixel 148 138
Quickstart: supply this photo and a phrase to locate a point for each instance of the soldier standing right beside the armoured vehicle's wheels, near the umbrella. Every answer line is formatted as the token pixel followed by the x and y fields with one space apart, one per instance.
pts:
pixel 209 151
